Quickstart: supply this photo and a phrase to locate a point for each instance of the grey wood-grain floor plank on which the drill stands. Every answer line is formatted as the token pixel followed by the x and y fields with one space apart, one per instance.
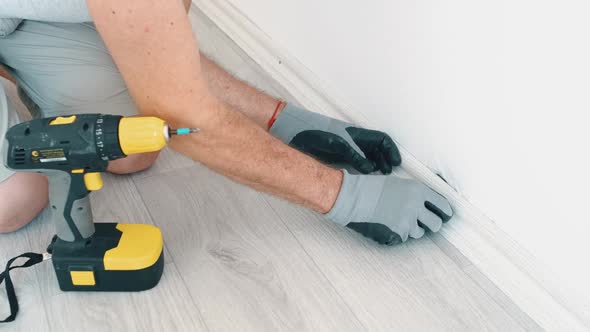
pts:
pixel 118 201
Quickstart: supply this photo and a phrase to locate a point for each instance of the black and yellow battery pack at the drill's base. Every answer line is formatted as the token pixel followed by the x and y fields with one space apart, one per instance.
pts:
pixel 117 258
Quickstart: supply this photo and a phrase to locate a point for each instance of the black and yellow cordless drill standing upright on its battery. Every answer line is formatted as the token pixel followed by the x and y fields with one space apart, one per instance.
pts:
pixel 72 152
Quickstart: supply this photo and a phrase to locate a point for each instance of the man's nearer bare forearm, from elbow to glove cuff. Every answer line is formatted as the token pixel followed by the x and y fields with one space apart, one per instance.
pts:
pixel 248 154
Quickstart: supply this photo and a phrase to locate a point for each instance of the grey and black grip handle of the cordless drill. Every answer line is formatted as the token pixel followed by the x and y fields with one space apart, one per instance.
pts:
pixel 70 204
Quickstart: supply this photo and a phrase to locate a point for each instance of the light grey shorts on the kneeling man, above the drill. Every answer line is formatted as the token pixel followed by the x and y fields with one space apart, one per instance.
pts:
pixel 62 69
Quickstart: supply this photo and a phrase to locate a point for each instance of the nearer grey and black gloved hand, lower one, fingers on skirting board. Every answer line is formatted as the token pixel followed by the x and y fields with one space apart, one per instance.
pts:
pixel 388 209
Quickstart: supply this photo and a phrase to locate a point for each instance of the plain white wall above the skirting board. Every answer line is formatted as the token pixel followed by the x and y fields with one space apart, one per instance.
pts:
pixel 492 94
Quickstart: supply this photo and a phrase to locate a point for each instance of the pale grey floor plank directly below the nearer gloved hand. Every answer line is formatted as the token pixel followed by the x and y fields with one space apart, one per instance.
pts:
pixel 414 286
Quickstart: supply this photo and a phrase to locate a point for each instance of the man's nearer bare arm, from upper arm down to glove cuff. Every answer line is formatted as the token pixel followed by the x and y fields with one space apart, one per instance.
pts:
pixel 154 48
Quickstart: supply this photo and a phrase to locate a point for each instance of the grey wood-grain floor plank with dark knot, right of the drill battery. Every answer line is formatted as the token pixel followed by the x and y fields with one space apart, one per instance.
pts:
pixel 243 268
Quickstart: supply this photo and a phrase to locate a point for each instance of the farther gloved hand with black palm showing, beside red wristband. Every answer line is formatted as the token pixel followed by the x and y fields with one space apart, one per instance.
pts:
pixel 335 141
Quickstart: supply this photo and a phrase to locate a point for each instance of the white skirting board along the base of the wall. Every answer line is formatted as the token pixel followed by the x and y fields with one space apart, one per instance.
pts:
pixel 554 305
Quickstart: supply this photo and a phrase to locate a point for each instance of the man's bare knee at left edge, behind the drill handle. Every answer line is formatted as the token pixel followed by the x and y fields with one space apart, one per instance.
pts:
pixel 22 197
